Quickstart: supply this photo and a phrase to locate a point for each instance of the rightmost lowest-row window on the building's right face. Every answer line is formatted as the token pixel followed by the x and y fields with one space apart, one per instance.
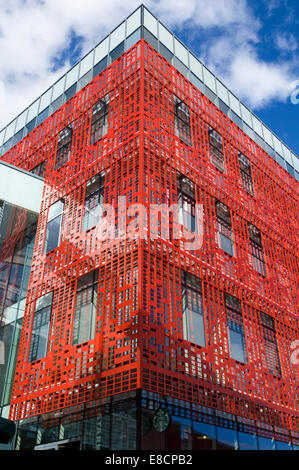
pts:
pixel 269 335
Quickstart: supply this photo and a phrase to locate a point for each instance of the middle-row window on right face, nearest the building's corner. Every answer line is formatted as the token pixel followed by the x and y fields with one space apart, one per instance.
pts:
pixel 186 202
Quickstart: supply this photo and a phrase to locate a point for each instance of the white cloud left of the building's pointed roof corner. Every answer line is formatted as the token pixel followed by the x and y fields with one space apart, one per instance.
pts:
pixel 34 32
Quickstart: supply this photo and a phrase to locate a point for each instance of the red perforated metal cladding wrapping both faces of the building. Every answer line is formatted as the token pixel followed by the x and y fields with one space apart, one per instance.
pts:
pixel 162 131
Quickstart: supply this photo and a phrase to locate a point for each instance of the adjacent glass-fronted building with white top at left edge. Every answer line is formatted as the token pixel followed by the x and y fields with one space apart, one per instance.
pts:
pixel 17 236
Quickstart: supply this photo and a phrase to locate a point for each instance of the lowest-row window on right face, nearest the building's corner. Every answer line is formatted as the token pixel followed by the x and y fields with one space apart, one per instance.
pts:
pixel 193 314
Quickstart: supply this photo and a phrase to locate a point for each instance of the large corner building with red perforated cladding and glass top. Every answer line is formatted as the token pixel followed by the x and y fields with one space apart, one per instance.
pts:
pixel 136 340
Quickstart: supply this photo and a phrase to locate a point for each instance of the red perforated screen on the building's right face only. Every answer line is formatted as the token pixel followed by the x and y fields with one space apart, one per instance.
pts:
pixel 173 366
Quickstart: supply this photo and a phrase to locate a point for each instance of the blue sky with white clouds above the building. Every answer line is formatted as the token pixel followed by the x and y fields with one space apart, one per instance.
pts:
pixel 252 46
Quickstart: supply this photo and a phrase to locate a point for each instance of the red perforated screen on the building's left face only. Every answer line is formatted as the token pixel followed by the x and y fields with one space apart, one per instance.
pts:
pixel 108 364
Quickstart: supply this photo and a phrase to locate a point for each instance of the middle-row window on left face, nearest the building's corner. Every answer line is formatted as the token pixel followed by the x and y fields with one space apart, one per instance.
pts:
pixel 93 203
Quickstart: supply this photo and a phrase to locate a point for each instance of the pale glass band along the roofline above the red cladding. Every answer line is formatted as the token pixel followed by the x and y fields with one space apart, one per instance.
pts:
pixel 143 24
